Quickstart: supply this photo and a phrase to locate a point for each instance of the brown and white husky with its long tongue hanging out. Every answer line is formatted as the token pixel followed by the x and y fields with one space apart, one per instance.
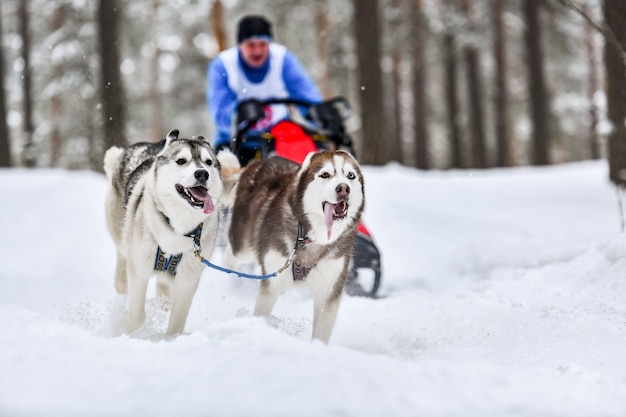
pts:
pixel 311 211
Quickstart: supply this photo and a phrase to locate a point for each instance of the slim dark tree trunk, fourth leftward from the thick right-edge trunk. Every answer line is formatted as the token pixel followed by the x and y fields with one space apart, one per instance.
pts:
pixel 474 85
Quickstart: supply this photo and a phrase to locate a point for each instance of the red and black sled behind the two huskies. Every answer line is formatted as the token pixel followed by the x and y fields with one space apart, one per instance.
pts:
pixel 322 128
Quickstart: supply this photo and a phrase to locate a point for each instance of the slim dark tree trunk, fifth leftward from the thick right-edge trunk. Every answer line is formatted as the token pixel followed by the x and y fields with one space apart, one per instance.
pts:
pixel 452 100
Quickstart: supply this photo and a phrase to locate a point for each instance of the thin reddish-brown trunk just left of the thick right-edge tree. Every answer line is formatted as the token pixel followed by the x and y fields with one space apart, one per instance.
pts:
pixel 594 149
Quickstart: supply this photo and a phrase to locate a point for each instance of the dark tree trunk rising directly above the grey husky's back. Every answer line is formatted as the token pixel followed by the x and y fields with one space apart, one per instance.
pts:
pixel 113 106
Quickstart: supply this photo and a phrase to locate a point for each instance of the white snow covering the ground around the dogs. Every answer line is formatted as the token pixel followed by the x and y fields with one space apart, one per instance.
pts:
pixel 504 294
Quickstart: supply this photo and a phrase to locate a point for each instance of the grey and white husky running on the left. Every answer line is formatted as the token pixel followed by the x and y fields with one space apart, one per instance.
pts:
pixel 160 208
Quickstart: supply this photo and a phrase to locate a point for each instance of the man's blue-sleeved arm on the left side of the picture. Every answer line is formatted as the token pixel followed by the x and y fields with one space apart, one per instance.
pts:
pixel 221 101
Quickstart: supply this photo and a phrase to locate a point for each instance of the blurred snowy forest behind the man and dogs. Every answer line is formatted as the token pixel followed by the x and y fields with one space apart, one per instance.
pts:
pixel 434 84
